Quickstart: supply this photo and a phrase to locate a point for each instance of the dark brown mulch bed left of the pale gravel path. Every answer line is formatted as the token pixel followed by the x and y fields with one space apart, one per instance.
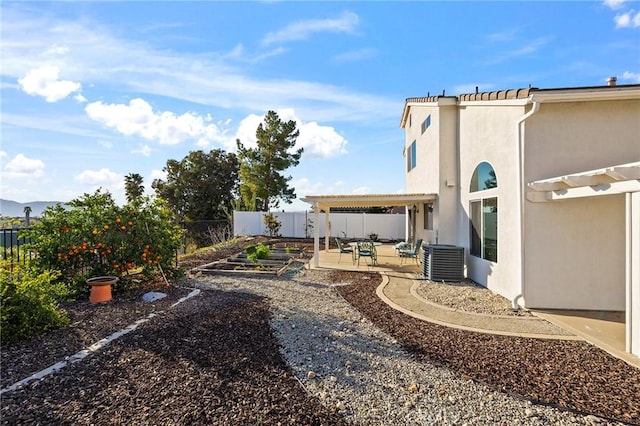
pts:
pixel 211 360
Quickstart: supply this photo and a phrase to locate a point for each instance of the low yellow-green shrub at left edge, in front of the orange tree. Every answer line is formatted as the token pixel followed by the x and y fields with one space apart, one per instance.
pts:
pixel 29 303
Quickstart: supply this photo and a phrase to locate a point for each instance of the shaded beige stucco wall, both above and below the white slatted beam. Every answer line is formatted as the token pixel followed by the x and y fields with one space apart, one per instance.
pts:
pixel 574 249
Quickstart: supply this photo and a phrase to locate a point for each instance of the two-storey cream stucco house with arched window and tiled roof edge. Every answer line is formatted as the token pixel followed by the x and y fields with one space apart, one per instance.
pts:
pixel 542 189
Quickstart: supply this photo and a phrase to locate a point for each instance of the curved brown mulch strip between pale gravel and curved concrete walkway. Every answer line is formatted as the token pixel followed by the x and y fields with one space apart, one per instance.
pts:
pixel 572 375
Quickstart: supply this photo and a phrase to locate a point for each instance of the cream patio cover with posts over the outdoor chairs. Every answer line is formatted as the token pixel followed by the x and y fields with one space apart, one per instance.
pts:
pixel 326 202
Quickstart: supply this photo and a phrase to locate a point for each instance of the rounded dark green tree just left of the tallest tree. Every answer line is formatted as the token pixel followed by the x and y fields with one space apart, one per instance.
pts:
pixel 201 186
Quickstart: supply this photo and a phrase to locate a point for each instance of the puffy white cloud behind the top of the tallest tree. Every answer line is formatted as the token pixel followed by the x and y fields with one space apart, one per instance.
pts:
pixel 318 141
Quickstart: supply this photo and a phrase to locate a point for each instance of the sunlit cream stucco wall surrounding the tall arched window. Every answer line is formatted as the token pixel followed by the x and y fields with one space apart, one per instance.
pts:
pixel 490 133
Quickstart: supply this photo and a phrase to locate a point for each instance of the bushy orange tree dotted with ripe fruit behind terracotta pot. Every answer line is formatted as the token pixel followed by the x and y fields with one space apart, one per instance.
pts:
pixel 97 237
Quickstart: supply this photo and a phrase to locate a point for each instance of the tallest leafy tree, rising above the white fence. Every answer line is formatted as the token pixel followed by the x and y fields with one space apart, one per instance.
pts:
pixel 262 186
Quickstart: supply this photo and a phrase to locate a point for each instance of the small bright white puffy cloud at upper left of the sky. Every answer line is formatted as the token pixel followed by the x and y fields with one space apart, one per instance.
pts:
pixel 43 81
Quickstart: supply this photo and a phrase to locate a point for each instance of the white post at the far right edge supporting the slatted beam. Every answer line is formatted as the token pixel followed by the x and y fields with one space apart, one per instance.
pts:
pixel 632 275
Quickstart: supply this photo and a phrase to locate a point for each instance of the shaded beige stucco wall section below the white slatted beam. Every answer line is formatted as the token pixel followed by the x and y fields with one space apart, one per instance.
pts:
pixel 575 254
